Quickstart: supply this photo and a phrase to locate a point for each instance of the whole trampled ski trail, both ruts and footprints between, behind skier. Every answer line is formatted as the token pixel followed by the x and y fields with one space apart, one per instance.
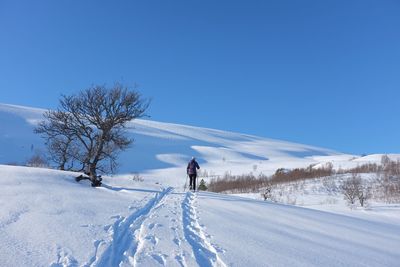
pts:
pixel 164 232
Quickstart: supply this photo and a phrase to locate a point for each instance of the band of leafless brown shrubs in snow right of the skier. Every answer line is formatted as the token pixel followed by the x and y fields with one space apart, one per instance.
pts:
pixel 284 182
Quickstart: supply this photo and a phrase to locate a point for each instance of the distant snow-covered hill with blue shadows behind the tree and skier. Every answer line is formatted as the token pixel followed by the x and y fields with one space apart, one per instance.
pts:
pixel 161 150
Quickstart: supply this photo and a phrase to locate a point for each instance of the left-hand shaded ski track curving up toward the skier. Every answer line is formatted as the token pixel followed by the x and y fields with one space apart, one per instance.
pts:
pixel 124 243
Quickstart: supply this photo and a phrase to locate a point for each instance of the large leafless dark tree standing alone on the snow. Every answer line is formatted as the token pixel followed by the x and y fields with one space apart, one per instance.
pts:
pixel 90 127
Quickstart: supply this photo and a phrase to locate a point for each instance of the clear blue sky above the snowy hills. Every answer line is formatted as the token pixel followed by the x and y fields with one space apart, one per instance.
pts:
pixel 324 73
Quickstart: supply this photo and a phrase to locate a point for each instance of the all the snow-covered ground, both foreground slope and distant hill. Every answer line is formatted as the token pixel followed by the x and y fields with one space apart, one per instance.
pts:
pixel 48 219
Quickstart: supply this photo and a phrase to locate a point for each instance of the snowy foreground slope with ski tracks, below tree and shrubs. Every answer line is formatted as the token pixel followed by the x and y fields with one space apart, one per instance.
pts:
pixel 47 219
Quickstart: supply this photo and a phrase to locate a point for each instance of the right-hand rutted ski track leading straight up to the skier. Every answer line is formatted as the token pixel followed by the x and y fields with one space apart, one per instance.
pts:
pixel 204 252
